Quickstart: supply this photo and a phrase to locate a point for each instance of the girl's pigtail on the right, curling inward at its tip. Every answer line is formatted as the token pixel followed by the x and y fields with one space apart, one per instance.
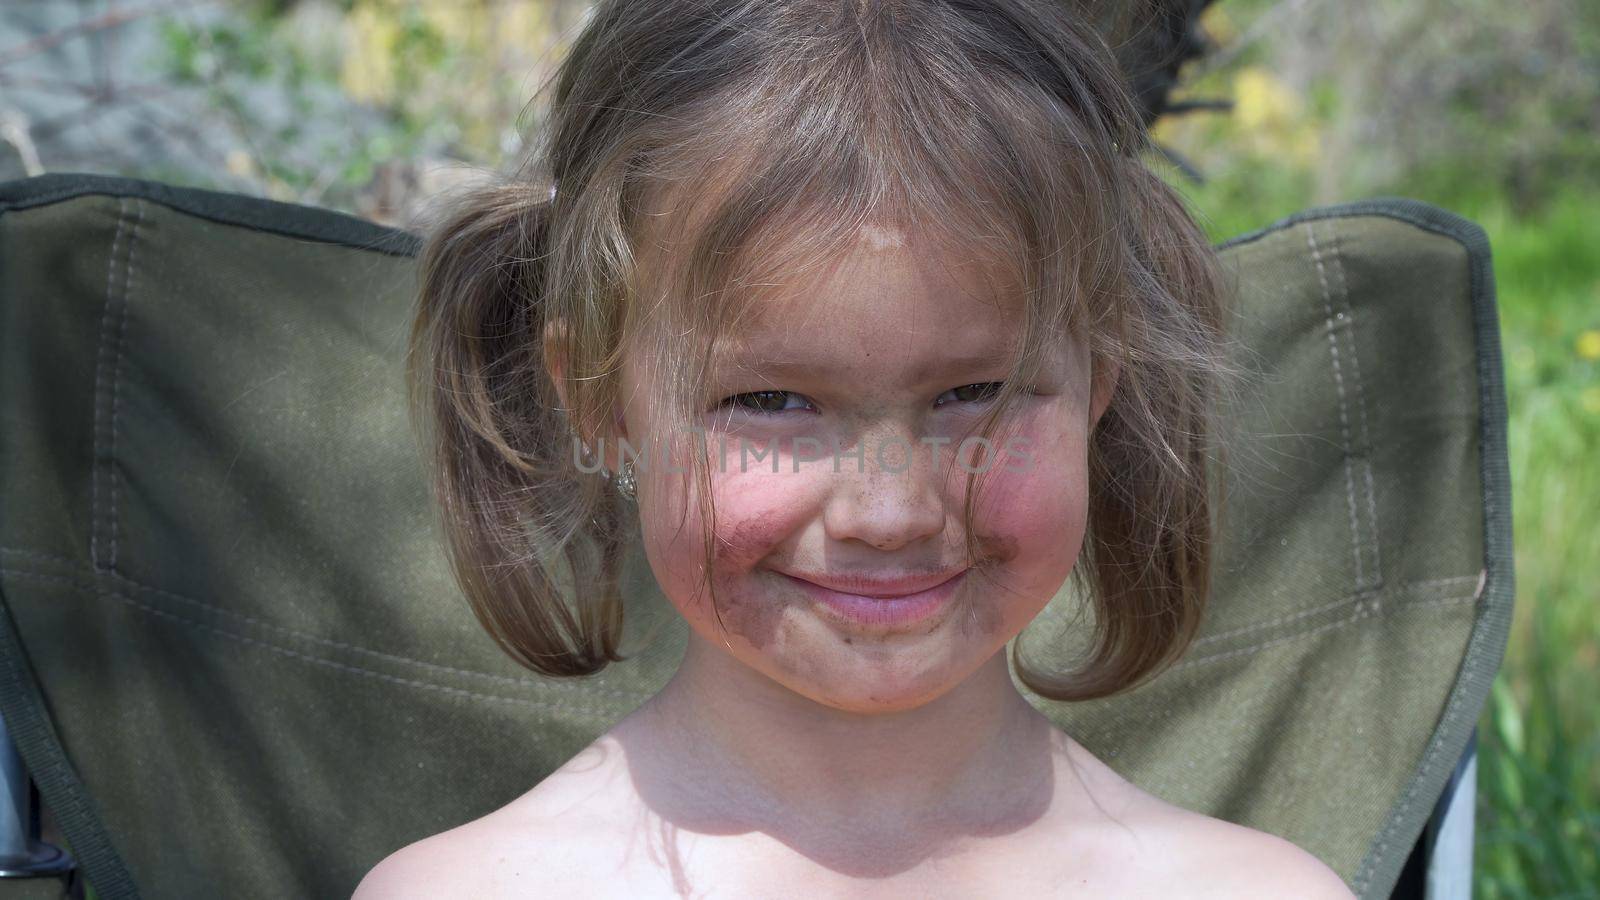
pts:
pixel 1153 496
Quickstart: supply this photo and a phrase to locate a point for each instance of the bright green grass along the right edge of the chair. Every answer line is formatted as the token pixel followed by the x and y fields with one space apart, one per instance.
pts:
pixel 1538 824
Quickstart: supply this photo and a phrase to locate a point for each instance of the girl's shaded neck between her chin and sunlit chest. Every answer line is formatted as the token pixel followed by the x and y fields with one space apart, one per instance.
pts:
pixel 745 752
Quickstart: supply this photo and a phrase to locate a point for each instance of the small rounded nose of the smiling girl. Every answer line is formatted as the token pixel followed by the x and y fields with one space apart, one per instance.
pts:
pixel 889 499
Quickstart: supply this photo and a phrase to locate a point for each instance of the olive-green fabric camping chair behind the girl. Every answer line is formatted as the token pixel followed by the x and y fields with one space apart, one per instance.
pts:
pixel 233 657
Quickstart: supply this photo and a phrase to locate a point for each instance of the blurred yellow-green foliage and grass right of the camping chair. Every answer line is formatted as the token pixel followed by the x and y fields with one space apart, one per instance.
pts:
pixel 1492 111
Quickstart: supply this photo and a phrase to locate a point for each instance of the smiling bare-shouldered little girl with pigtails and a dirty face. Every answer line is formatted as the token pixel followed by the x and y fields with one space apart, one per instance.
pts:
pixel 868 321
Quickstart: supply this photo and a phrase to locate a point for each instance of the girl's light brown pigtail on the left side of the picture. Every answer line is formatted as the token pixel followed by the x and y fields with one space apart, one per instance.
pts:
pixel 522 528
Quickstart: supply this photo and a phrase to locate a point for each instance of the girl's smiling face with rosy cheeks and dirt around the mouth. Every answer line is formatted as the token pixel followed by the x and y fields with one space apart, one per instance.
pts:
pixel 887 358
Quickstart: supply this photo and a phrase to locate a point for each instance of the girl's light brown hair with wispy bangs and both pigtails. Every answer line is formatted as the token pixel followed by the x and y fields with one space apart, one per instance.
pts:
pixel 1001 126
